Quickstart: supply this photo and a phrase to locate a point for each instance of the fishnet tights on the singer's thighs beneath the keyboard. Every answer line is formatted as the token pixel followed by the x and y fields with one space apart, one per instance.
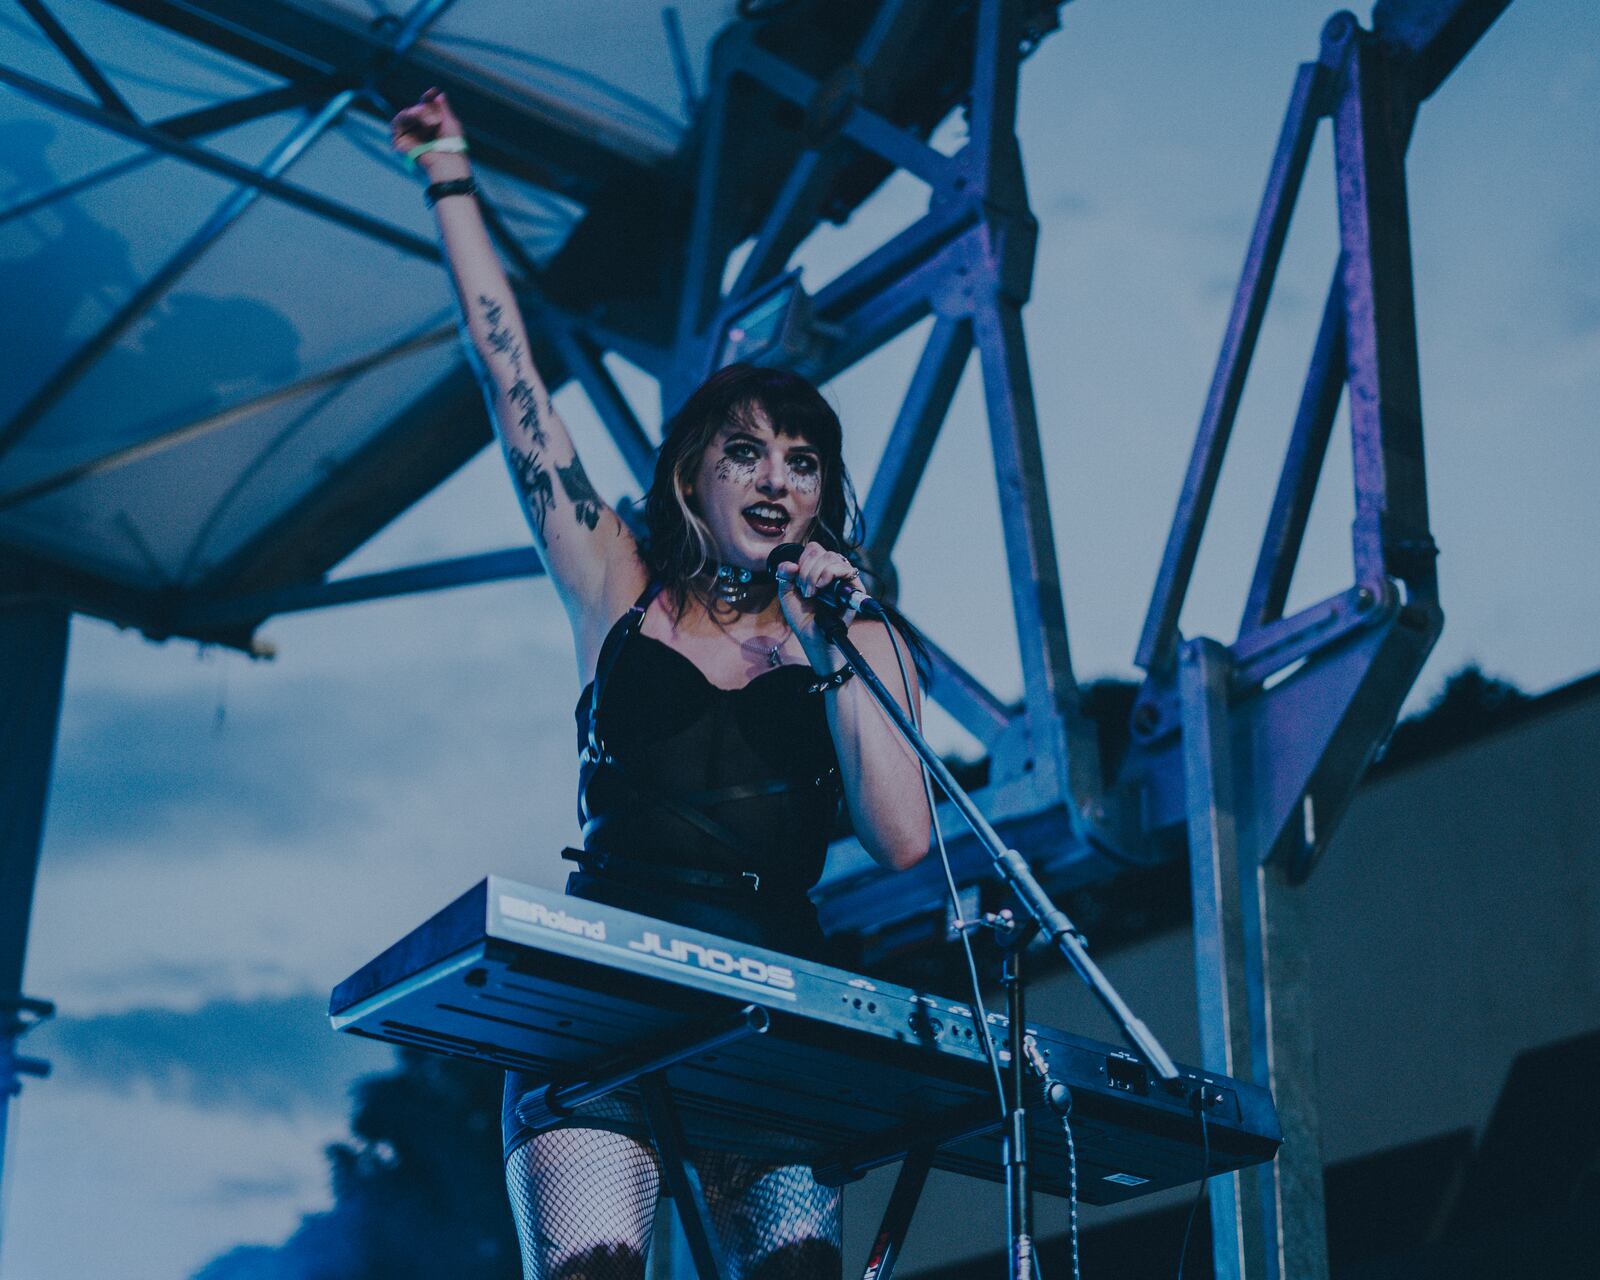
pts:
pixel 585 1202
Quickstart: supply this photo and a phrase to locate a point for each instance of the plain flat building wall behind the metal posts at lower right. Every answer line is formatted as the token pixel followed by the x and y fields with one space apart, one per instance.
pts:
pixel 1455 922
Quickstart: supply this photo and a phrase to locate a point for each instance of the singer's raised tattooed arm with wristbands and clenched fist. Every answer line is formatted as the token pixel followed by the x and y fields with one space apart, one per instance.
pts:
pixel 588 551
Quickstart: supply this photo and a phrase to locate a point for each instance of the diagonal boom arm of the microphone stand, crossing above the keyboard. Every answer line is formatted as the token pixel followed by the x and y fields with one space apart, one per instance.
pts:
pixel 1012 866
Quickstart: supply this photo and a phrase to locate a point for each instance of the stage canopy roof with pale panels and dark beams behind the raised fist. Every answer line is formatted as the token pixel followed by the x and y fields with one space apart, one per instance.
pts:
pixel 230 343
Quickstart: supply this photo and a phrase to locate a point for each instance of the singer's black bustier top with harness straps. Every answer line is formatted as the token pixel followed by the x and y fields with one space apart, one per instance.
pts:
pixel 754 766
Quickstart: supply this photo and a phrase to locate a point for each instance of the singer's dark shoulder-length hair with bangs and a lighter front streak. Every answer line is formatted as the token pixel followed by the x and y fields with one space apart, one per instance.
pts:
pixel 679 548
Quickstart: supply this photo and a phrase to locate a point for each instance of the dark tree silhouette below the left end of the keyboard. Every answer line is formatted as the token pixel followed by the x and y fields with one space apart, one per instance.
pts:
pixel 418 1190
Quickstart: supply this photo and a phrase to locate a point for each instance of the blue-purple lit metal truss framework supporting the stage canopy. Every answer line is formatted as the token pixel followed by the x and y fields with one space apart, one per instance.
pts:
pixel 1246 754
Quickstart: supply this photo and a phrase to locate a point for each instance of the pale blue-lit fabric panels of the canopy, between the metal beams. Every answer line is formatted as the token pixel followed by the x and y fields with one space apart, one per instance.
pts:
pixel 220 406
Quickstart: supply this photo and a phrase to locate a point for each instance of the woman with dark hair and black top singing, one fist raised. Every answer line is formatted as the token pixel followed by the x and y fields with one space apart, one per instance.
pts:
pixel 718 735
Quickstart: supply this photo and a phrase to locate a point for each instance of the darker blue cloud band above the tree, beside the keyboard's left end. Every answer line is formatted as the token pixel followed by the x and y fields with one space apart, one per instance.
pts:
pixel 273 1055
